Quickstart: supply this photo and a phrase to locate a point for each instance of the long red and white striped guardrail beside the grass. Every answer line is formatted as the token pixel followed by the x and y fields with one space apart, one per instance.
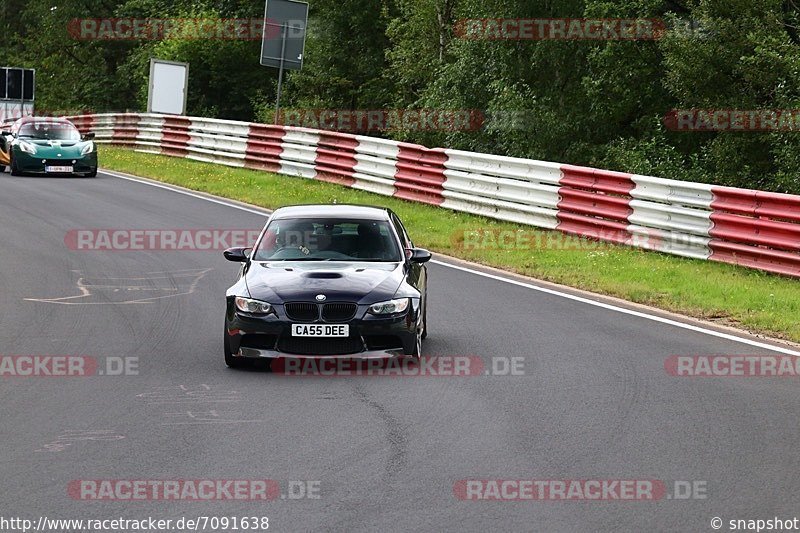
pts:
pixel 744 227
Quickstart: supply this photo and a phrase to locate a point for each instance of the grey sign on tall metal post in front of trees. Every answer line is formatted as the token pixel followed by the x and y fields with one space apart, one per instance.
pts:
pixel 286 19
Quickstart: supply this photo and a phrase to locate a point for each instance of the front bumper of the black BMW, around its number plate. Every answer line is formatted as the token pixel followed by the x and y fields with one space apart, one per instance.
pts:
pixel 370 337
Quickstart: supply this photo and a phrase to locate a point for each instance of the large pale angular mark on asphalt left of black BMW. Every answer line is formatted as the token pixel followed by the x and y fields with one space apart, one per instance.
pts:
pixel 146 289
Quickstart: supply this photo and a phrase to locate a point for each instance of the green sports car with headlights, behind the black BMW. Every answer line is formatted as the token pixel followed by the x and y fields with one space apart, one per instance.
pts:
pixel 37 145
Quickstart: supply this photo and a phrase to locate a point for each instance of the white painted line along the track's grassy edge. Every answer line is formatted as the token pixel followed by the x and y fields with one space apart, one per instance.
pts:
pixel 587 301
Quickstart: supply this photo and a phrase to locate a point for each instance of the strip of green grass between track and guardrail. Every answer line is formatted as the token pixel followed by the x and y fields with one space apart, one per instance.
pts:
pixel 749 299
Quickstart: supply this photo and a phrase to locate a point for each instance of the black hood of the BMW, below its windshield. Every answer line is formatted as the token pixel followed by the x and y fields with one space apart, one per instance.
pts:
pixel 287 281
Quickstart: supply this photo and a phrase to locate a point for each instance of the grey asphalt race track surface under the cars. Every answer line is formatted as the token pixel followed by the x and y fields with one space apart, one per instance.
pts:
pixel 594 400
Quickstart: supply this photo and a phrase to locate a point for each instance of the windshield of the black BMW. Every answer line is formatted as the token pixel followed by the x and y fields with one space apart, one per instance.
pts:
pixel 335 239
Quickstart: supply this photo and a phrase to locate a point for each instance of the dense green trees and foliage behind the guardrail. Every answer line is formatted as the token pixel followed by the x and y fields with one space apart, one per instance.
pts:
pixel 599 103
